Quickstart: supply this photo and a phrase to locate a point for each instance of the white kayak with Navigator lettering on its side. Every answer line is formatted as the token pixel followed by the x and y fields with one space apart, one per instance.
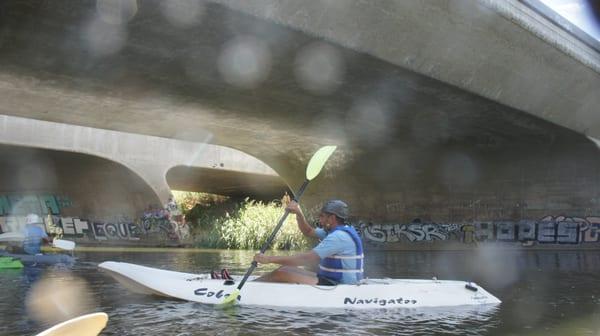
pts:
pixel 370 294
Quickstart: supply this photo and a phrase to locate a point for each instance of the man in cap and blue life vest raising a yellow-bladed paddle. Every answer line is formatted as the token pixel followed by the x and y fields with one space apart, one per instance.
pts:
pixel 339 254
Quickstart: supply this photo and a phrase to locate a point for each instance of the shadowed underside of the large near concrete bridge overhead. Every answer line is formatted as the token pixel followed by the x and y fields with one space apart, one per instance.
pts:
pixel 164 81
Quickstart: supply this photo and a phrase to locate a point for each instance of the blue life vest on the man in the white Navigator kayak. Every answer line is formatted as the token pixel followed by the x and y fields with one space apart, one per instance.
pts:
pixel 332 267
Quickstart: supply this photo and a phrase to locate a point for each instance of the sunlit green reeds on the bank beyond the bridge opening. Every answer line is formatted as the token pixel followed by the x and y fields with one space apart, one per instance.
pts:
pixel 219 222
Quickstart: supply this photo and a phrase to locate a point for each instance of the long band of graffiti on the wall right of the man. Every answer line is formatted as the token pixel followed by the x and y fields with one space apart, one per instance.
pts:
pixel 546 230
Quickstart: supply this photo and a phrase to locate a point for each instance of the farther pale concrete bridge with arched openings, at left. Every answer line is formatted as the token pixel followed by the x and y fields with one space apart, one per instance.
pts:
pixel 113 173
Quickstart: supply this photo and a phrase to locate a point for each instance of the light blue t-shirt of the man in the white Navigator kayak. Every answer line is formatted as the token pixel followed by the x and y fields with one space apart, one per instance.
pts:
pixel 338 243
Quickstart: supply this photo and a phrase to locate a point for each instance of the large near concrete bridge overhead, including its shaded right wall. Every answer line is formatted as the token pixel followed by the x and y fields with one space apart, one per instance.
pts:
pixel 446 111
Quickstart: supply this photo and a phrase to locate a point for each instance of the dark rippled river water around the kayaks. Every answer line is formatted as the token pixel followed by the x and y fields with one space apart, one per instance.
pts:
pixel 543 293
